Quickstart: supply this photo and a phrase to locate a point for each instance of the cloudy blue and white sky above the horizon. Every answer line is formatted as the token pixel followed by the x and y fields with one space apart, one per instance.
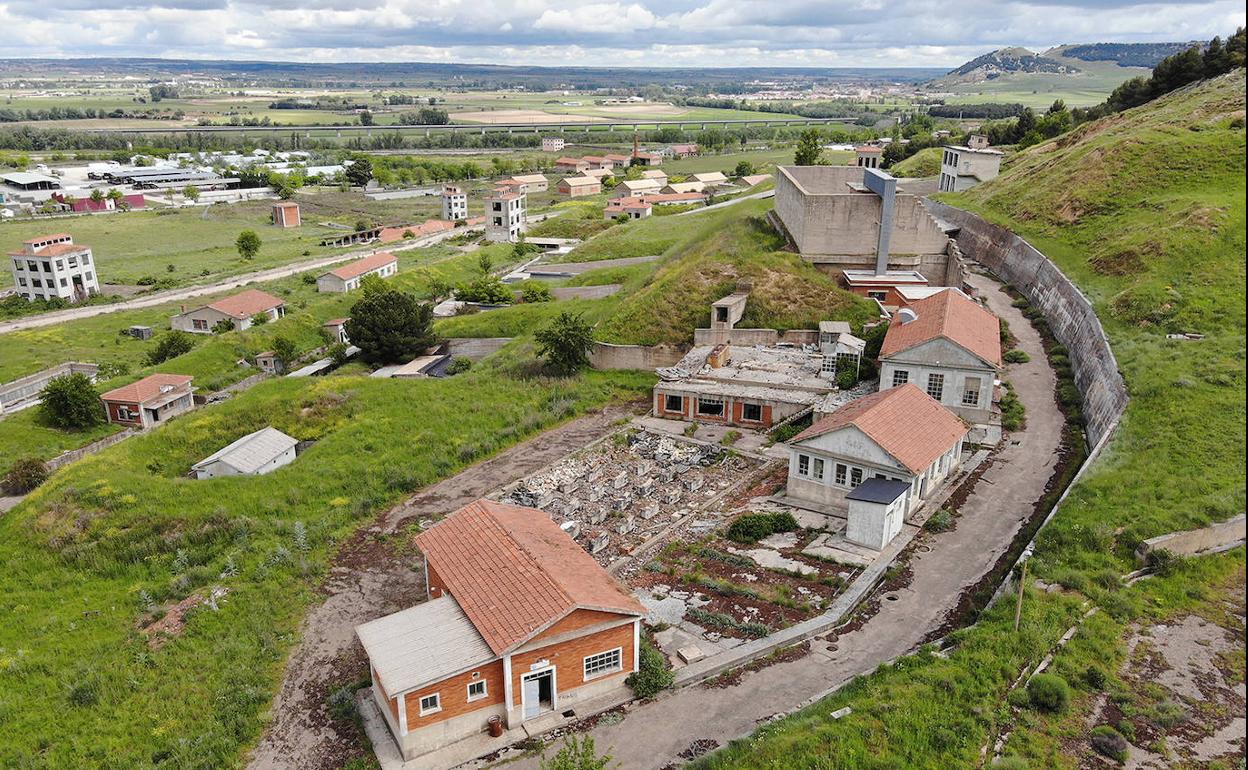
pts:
pixel 657 33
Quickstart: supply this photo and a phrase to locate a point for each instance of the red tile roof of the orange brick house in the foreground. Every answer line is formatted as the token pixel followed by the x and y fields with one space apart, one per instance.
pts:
pixel 515 572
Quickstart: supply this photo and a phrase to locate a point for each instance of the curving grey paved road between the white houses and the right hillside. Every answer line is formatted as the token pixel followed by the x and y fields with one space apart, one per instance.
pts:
pixel 653 734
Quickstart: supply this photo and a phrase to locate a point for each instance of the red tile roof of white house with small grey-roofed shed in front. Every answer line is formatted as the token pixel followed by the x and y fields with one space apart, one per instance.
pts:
pixel 908 424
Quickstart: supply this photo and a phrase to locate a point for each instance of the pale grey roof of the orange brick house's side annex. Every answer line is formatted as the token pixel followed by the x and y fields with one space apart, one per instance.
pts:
pixel 424 645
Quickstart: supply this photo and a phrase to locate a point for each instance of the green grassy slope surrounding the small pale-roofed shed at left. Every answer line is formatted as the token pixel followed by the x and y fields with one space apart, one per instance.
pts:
pixel 117 540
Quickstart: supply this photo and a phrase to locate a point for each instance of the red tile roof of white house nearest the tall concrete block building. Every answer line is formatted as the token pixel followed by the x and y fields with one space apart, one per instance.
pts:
pixel 953 316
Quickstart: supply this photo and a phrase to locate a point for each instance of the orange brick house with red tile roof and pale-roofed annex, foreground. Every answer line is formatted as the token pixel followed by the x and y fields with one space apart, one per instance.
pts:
pixel 520 623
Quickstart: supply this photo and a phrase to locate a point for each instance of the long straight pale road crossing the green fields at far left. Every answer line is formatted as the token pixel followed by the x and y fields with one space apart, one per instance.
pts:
pixel 209 289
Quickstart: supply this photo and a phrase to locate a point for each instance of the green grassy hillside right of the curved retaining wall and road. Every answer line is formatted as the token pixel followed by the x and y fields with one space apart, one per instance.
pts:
pixel 1145 212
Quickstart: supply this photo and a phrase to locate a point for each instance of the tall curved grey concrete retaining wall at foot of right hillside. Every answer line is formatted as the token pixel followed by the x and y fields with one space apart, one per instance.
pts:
pixel 1068 311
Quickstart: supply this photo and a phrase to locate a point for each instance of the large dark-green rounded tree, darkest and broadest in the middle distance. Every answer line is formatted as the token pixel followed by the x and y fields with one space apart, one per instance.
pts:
pixel 391 328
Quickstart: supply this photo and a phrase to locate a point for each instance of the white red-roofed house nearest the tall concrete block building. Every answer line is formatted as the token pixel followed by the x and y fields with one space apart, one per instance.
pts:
pixel 950 348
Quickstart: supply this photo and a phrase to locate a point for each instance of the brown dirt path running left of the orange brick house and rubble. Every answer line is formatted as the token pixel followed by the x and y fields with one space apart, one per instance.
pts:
pixel 374 576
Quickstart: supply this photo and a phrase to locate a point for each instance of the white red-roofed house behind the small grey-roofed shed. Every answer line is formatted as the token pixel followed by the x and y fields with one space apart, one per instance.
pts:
pixel 900 435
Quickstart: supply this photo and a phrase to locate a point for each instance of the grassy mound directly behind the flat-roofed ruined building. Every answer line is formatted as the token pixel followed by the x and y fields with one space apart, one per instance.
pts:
pixel 714 253
